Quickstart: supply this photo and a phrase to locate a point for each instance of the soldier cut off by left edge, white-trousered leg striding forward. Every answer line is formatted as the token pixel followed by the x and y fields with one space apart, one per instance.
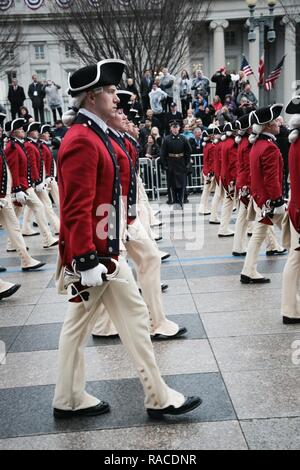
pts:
pixel 8 218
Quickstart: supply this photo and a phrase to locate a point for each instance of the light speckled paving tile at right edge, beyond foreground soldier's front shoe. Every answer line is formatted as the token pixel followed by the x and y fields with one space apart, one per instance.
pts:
pixel 264 393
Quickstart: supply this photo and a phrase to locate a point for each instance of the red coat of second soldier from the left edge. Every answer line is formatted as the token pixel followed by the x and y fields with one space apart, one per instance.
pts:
pixel 19 164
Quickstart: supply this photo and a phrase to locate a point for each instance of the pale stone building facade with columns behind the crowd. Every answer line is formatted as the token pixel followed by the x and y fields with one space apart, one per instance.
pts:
pixel 221 39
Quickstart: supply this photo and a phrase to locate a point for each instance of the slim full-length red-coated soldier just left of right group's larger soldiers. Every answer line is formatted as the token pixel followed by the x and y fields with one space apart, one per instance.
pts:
pixel 228 179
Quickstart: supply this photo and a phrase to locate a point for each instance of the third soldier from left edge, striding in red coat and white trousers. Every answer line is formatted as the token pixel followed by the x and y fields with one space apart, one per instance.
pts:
pixel 36 155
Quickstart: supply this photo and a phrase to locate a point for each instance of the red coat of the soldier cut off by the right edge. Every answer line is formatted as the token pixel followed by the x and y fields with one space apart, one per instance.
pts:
pixel 294 167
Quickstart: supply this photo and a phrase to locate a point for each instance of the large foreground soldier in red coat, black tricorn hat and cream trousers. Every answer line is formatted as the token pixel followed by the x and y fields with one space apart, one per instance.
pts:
pixel 89 245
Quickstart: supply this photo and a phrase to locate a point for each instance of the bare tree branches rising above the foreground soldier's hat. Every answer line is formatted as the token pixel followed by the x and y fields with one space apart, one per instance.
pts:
pixel 146 33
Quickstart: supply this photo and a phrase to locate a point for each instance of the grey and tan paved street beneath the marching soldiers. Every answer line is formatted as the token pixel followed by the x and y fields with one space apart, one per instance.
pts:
pixel 237 355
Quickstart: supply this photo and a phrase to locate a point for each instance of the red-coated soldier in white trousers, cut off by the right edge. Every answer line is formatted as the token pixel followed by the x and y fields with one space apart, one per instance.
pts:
pixel 290 307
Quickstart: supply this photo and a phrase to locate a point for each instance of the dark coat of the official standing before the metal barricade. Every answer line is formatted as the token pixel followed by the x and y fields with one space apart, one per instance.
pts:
pixel 176 166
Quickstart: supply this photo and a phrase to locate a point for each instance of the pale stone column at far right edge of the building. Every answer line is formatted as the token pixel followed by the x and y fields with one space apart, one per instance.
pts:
pixel 290 59
